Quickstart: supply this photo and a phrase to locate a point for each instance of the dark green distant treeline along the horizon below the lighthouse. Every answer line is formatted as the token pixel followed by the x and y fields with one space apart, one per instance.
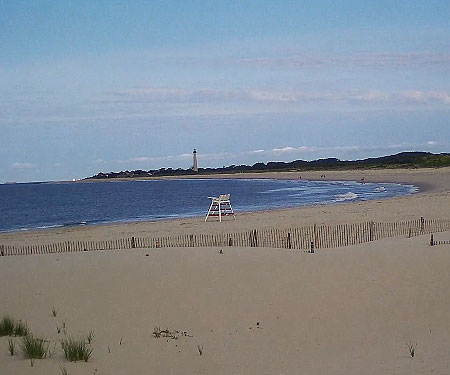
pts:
pixel 401 160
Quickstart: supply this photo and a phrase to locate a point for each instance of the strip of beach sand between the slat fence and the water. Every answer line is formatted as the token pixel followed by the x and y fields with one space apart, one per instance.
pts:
pixel 431 201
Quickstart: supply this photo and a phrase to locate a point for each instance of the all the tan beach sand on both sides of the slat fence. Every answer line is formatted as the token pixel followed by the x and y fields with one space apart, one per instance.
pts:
pixel 251 310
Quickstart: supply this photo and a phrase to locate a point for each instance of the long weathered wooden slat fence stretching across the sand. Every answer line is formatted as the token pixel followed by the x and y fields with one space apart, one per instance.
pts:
pixel 299 238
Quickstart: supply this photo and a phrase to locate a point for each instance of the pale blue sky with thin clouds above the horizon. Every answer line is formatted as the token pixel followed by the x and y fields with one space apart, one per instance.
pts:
pixel 100 86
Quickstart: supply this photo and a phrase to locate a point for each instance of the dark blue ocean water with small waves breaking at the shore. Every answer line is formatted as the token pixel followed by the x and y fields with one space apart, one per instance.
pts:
pixel 50 205
